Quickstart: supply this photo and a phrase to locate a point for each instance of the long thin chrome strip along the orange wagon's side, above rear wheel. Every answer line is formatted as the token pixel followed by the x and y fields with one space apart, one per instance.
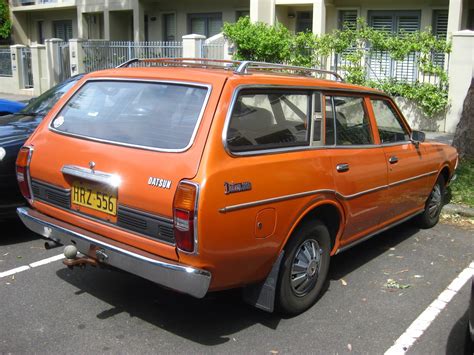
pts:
pixel 314 192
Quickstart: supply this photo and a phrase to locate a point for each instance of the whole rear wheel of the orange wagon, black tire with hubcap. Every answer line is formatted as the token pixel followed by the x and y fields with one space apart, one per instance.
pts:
pixel 291 298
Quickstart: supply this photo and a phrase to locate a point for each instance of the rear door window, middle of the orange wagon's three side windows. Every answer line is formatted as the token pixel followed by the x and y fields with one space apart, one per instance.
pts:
pixel 352 124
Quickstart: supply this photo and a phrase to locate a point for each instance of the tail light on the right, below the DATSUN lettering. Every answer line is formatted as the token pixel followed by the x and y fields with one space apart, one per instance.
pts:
pixel 184 211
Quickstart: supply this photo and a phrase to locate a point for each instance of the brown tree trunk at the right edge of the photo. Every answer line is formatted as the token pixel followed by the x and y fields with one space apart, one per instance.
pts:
pixel 464 136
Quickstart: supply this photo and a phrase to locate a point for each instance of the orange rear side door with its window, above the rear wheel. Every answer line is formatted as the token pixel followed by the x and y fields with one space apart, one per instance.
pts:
pixel 358 164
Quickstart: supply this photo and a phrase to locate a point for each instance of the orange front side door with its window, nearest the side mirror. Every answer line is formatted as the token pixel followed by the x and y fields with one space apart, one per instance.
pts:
pixel 407 164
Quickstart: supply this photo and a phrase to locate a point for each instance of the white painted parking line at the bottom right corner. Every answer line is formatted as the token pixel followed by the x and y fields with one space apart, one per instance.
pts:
pixel 420 324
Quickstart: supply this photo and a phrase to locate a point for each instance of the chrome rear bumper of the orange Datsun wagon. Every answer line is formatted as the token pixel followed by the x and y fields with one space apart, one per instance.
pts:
pixel 167 273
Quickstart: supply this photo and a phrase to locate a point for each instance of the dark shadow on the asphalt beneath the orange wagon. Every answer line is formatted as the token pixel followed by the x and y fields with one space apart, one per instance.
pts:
pixel 212 320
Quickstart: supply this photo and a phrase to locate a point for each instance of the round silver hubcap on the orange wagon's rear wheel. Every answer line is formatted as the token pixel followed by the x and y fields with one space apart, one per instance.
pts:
pixel 305 267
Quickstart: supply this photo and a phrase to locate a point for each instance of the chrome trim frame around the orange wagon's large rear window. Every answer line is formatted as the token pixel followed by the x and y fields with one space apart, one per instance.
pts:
pixel 182 83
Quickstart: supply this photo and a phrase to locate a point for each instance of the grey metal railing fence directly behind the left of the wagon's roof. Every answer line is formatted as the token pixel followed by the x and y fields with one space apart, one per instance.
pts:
pixel 109 54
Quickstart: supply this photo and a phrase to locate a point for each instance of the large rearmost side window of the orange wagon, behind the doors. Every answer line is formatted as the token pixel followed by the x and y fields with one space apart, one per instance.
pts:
pixel 269 120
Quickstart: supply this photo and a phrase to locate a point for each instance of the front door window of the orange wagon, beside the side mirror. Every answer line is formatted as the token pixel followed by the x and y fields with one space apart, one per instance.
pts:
pixel 388 122
